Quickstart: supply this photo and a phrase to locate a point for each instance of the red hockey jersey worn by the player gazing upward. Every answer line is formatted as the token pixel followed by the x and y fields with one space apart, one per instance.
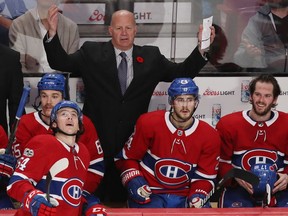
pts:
pixel 41 153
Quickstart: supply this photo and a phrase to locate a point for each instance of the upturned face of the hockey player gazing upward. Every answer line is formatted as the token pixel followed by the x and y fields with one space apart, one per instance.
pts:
pixel 67 120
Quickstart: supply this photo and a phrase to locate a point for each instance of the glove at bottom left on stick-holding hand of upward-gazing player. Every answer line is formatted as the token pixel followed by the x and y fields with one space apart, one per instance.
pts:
pixel 36 203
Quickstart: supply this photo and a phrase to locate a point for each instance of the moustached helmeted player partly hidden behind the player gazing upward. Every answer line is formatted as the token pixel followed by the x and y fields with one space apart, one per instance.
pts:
pixel 51 90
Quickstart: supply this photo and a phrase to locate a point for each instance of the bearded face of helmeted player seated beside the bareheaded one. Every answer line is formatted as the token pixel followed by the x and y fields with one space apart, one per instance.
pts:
pixel 184 106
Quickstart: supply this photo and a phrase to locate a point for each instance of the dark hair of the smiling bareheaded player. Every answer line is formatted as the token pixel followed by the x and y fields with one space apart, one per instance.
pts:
pixel 266 78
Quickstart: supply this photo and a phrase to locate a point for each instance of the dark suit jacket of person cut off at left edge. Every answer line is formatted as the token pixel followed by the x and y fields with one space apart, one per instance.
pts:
pixel 11 84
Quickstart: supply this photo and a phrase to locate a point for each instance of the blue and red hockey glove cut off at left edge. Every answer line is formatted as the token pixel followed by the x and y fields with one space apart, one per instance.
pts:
pixel 7 165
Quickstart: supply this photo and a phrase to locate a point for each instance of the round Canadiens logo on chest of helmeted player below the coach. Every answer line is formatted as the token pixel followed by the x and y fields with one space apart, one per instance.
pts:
pixel 172 172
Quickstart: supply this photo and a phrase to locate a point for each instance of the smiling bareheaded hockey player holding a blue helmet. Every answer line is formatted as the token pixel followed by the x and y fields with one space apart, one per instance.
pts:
pixel 256 140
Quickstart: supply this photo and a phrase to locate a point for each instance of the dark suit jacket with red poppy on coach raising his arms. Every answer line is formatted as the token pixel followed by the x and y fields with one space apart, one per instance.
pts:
pixel 115 115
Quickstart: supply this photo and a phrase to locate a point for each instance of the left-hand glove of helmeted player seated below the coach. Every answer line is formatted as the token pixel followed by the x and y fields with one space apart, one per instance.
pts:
pixel 137 187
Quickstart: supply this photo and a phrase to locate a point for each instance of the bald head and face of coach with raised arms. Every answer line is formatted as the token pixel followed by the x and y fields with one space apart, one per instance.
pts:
pixel 123 30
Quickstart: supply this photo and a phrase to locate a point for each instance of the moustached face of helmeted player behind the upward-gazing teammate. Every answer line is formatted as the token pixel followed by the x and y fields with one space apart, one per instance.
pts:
pixel 49 98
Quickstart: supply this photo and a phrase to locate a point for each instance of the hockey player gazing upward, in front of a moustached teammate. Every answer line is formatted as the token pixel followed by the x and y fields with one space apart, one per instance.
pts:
pixel 50 175
